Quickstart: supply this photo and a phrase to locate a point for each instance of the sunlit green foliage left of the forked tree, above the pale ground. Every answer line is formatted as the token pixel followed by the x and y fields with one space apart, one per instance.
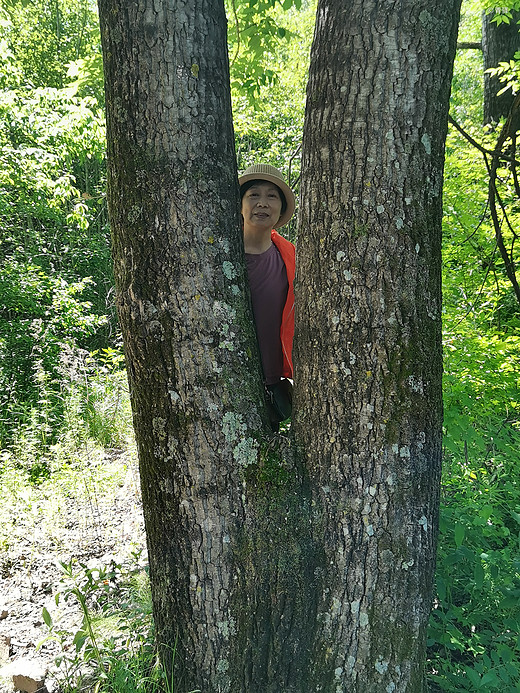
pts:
pixel 56 273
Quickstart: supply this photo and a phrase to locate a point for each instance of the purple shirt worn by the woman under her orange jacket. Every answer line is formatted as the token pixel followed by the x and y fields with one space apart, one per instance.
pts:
pixel 269 285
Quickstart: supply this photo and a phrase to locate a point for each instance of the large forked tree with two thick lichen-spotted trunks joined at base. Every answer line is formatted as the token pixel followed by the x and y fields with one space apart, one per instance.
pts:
pixel 280 564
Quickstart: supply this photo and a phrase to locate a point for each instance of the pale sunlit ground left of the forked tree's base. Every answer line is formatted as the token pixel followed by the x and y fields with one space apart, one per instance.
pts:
pixel 87 513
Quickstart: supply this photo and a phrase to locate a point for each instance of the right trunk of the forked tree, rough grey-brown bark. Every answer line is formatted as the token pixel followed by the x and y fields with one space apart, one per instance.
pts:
pixel 368 337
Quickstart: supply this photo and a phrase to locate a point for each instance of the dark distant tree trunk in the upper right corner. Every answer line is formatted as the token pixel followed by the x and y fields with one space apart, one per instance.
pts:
pixel 500 42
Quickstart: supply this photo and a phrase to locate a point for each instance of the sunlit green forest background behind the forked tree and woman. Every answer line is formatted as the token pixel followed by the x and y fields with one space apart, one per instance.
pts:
pixel 62 379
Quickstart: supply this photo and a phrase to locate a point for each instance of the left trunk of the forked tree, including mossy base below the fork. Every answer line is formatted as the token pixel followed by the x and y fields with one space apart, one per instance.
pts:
pixel 226 512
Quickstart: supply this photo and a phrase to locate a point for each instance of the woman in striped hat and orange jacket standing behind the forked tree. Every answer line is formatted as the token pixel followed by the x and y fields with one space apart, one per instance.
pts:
pixel 267 204
